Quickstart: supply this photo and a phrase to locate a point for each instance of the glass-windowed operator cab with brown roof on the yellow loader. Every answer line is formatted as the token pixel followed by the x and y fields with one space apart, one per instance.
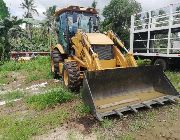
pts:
pixel 70 19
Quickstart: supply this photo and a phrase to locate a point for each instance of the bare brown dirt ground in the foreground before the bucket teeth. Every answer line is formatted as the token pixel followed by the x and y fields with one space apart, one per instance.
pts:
pixel 164 126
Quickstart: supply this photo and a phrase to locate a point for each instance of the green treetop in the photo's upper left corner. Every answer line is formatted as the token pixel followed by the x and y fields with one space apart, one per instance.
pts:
pixel 4 10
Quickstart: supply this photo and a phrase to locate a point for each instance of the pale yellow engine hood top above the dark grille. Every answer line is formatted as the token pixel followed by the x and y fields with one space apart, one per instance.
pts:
pixel 99 39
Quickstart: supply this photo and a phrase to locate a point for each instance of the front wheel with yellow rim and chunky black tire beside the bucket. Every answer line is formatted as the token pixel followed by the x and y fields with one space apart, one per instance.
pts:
pixel 71 76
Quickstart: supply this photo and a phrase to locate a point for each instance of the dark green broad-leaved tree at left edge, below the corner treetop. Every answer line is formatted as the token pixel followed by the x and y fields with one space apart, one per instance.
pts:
pixel 9 28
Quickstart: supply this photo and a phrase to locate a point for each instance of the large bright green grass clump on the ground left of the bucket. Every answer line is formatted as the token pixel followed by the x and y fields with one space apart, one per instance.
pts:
pixel 49 99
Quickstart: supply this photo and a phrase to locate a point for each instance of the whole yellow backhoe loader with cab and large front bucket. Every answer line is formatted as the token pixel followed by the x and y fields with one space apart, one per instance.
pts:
pixel 111 80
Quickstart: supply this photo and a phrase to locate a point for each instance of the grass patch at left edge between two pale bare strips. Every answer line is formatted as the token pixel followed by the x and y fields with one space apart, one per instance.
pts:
pixel 11 95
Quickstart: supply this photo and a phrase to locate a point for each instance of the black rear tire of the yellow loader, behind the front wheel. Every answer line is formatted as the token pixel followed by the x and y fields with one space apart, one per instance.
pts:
pixel 57 58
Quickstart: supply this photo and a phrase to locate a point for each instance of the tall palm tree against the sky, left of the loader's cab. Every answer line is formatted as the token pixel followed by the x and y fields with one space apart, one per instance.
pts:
pixel 29 5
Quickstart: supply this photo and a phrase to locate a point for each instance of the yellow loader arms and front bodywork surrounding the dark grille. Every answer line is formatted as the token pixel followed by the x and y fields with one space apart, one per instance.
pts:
pixel 86 57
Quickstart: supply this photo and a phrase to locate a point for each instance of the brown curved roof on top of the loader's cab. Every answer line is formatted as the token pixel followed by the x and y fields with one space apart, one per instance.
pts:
pixel 76 9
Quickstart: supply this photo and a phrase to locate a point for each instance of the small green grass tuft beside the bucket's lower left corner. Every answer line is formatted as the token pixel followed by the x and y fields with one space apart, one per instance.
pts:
pixel 82 109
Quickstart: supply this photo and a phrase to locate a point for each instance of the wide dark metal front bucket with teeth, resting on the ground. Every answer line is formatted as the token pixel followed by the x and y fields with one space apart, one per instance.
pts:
pixel 115 91
